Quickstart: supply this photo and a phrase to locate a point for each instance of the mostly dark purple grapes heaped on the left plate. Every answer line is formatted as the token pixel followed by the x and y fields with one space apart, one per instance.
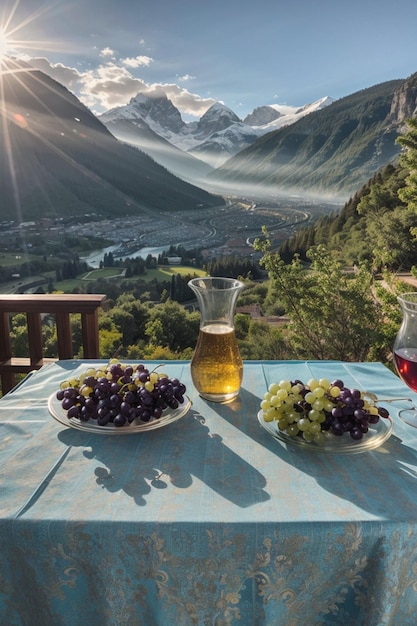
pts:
pixel 120 394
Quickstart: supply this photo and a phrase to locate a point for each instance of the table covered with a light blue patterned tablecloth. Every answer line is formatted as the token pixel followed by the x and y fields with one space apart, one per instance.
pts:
pixel 206 521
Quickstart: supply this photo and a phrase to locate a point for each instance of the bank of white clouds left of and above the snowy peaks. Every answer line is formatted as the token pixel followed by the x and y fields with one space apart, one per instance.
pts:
pixel 110 85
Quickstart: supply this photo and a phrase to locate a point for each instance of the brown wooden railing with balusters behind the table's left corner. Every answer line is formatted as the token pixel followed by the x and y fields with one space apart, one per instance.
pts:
pixel 34 305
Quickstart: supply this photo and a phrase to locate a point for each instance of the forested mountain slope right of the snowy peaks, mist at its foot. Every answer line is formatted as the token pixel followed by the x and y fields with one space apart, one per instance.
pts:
pixel 329 153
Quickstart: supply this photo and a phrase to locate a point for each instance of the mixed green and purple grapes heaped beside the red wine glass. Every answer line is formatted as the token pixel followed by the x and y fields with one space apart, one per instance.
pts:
pixel 319 408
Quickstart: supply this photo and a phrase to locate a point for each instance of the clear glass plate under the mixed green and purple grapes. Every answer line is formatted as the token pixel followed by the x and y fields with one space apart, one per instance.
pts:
pixel 376 435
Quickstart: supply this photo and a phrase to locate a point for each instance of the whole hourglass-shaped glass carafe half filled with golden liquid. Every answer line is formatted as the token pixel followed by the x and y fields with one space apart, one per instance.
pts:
pixel 216 366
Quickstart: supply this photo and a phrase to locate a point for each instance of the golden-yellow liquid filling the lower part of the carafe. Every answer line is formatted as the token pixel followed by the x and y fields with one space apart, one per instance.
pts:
pixel 216 367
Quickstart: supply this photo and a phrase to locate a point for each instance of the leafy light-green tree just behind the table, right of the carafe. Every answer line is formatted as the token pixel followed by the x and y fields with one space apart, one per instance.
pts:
pixel 334 315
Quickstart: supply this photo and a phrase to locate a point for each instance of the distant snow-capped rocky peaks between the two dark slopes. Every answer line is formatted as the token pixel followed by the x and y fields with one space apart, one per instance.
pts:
pixel 154 124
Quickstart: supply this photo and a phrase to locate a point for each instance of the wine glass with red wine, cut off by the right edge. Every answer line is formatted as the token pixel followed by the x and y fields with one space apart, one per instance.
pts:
pixel 405 350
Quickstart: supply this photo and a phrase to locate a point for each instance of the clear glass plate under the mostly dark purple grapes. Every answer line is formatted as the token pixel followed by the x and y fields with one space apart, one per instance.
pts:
pixel 168 417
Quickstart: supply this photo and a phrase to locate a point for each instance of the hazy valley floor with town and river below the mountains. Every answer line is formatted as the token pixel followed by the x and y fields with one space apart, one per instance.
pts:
pixel 220 231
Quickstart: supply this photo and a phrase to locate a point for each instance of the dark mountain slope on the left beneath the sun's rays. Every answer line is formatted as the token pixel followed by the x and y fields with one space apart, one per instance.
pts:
pixel 57 159
